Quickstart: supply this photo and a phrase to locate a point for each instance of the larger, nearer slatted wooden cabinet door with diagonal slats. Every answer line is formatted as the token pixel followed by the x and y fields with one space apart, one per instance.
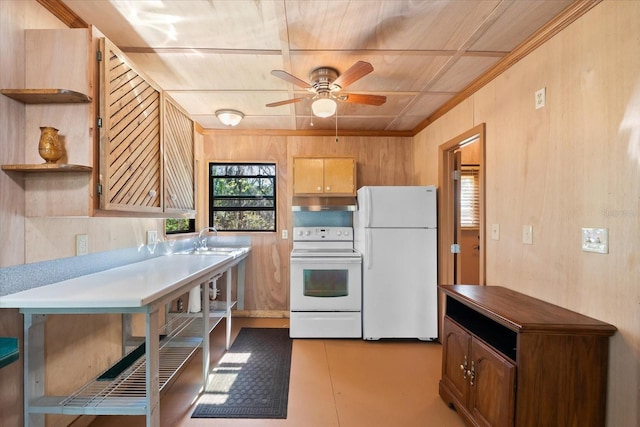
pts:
pixel 130 141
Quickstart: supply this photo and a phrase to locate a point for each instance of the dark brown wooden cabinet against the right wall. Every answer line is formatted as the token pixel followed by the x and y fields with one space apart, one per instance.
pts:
pixel 513 360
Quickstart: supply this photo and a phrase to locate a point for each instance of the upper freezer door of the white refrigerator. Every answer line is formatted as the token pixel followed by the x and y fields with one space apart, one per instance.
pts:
pixel 396 207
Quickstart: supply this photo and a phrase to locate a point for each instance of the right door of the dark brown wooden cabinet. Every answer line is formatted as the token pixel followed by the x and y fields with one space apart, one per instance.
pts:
pixel 492 394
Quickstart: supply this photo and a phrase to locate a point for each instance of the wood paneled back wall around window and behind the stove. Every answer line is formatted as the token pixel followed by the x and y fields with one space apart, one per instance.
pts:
pixel 381 161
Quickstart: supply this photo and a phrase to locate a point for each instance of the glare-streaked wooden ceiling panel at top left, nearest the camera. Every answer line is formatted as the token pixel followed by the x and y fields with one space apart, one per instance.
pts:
pixel 238 24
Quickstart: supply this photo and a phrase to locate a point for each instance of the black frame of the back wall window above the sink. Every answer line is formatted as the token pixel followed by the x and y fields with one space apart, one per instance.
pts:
pixel 212 199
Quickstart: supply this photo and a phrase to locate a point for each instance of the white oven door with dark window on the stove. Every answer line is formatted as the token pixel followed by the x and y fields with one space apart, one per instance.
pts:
pixel 326 284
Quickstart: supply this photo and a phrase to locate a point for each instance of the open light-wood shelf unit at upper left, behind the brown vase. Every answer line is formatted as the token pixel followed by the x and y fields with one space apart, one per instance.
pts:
pixel 60 92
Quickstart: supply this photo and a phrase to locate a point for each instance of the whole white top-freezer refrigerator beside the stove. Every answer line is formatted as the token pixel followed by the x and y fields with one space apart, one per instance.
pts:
pixel 395 229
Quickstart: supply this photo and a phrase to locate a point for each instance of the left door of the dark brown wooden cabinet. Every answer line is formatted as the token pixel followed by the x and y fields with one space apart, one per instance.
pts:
pixel 455 350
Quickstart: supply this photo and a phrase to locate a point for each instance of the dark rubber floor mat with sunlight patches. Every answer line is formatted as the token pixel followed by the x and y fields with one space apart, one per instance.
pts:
pixel 252 378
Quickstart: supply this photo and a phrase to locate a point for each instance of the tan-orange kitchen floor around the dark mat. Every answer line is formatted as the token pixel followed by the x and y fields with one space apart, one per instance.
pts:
pixel 334 383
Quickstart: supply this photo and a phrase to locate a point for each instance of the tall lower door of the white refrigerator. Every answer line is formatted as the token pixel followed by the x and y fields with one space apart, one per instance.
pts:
pixel 399 292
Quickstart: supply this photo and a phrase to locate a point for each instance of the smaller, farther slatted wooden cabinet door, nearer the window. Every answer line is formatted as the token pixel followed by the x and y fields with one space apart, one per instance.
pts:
pixel 178 143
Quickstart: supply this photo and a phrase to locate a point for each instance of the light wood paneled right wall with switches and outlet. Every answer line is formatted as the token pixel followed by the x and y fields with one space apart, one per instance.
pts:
pixel 574 163
